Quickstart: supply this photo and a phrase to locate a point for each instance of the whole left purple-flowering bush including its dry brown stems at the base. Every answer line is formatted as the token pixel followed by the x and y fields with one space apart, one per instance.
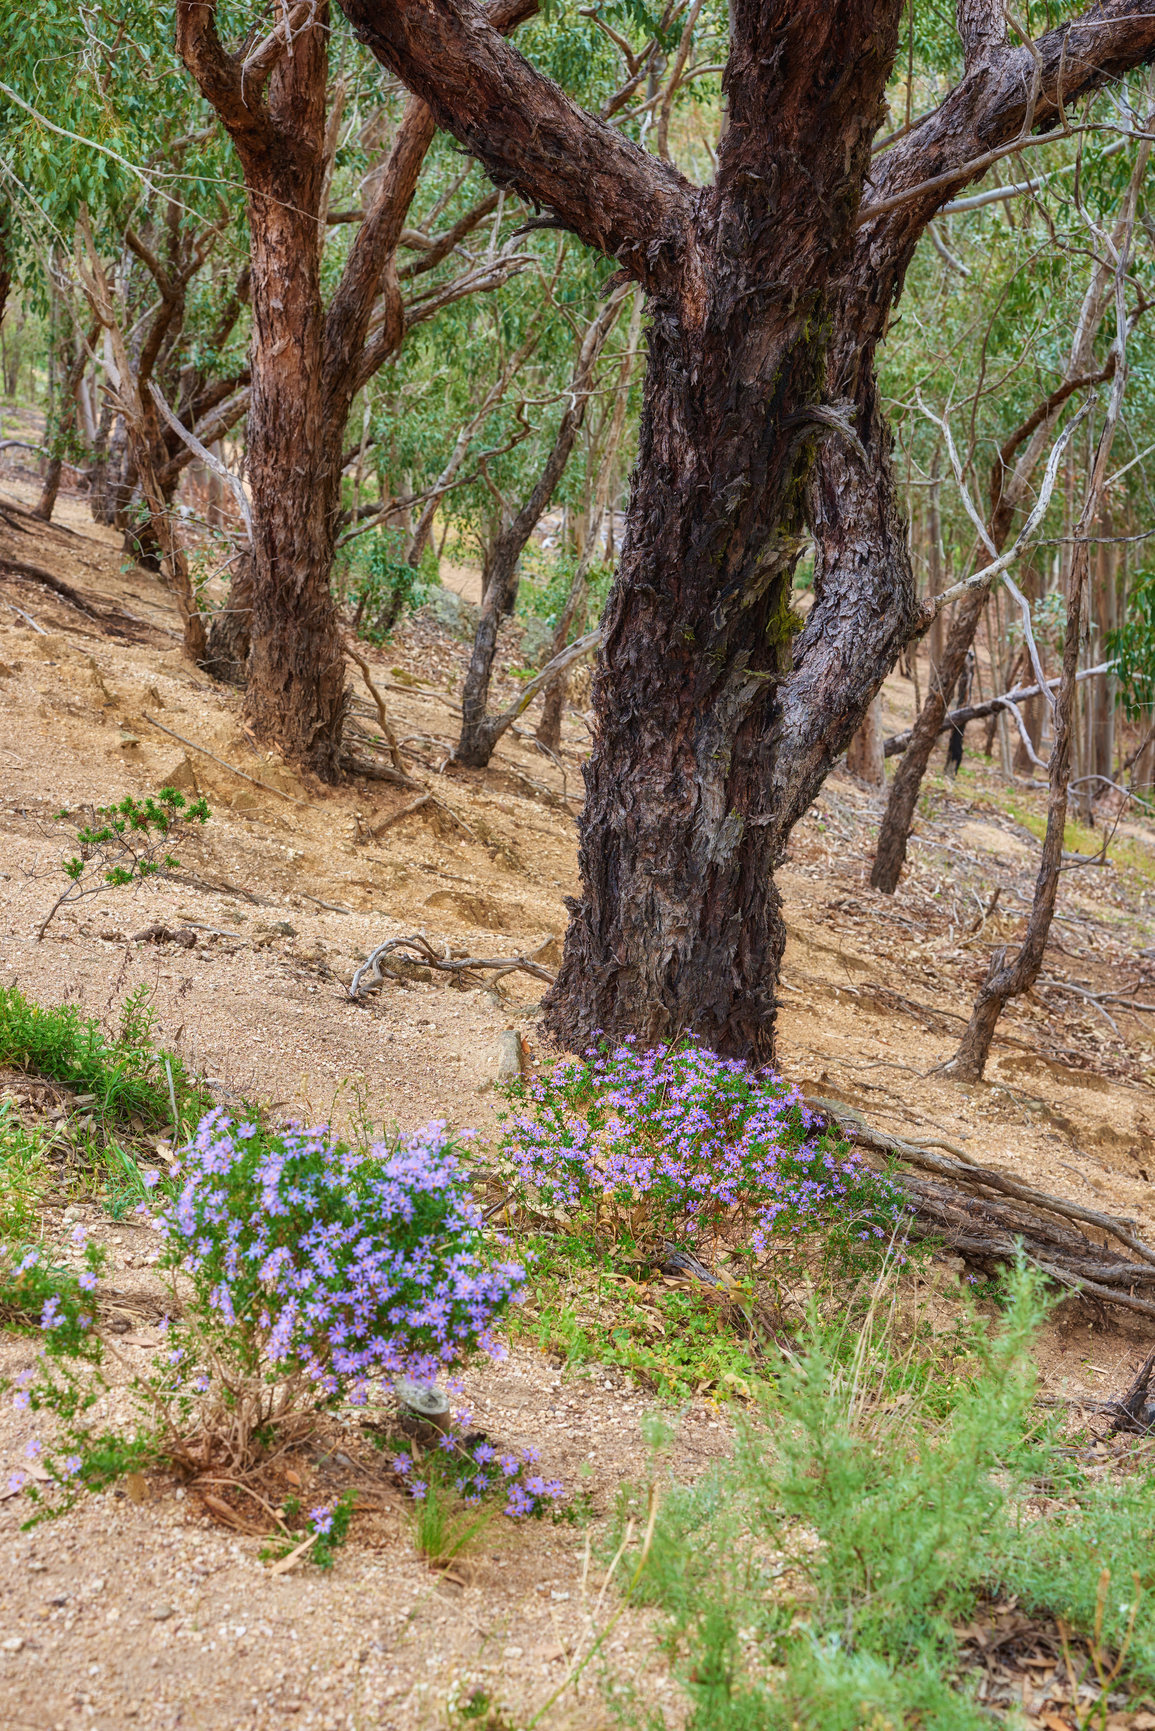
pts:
pixel 304 1270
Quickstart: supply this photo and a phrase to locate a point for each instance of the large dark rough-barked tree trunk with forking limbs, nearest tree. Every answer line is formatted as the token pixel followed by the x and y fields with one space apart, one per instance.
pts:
pixel 768 295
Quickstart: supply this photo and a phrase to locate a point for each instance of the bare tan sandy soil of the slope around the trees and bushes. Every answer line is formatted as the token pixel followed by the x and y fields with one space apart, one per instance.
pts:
pixel 150 1612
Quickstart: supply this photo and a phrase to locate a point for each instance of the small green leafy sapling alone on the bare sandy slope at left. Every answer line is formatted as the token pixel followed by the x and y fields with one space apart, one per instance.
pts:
pixel 126 844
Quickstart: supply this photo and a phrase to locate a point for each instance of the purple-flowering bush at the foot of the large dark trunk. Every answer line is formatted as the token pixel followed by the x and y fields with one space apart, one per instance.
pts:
pixel 683 1145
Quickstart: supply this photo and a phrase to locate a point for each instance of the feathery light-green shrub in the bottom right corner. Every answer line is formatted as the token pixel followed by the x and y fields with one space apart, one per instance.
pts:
pixel 816 1581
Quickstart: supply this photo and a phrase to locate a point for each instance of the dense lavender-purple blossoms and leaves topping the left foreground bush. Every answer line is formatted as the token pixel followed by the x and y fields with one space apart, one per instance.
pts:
pixel 340 1263
